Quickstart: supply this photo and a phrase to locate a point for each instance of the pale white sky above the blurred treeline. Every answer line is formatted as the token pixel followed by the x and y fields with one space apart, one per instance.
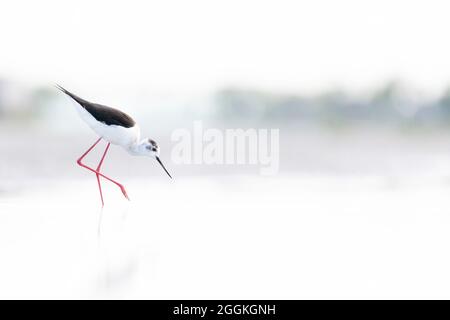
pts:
pixel 196 46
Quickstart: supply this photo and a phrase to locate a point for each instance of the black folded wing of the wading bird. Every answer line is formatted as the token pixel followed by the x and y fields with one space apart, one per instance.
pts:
pixel 107 115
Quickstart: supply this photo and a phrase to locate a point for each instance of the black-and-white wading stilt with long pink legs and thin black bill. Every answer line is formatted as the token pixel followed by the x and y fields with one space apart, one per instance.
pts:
pixel 115 127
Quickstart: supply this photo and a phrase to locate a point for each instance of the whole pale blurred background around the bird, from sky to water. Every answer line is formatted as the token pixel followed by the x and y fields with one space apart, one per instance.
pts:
pixel 360 91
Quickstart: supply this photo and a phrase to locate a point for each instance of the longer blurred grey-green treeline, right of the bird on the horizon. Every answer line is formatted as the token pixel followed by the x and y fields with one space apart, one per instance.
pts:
pixel 391 105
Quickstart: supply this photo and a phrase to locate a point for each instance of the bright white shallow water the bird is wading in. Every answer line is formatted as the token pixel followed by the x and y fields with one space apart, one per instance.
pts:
pixel 229 237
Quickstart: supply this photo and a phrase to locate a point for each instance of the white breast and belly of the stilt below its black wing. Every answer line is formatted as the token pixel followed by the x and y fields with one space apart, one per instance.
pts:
pixel 125 137
